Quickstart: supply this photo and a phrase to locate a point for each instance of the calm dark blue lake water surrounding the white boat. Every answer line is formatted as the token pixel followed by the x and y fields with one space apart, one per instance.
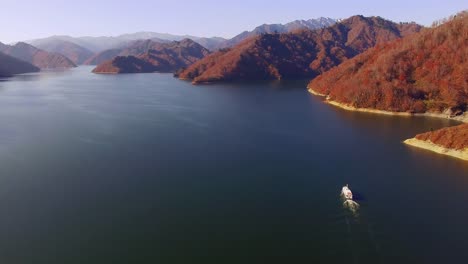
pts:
pixel 146 168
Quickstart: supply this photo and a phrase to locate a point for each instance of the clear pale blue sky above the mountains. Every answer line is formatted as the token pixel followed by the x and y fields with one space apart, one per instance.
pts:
pixel 22 20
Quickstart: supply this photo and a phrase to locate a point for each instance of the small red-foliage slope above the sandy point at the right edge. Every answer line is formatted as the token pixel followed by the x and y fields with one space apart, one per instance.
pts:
pixel 455 137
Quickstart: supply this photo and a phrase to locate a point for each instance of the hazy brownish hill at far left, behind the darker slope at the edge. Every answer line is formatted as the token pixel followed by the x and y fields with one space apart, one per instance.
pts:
pixel 37 57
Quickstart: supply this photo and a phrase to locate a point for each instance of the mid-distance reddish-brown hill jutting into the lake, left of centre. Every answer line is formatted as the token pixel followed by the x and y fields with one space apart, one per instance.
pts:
pixel 149 56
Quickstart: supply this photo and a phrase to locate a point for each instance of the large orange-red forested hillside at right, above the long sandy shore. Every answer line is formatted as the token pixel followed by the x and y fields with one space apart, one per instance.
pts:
pixel 424 72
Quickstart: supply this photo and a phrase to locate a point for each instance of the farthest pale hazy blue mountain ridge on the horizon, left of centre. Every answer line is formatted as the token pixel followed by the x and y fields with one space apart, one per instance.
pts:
pixel 99 44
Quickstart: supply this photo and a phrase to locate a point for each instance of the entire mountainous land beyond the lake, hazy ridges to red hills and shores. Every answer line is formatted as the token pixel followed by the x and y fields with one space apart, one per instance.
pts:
pixel 360 63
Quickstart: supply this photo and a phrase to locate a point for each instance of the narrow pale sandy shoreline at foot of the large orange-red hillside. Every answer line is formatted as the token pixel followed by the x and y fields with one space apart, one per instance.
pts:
pixel 463 118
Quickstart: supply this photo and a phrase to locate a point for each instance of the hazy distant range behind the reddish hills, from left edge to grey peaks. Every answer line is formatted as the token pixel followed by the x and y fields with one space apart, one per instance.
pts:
pixel 65 51
